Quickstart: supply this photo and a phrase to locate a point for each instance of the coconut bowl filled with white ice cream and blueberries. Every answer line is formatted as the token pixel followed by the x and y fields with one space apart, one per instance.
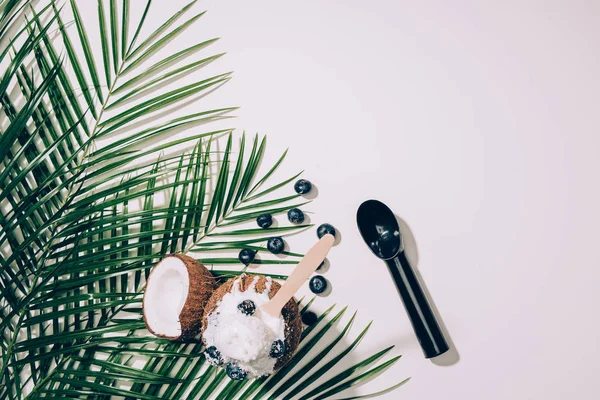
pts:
pixel 242 338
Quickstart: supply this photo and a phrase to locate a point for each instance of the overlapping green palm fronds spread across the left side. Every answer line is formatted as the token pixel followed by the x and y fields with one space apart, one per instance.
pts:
pixel 92 195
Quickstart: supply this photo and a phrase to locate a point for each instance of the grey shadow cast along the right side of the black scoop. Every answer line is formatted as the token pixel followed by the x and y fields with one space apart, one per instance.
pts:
pixel 410 255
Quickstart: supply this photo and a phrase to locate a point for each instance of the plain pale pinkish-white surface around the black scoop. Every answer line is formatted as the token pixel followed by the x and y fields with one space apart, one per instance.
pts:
pixel 477 122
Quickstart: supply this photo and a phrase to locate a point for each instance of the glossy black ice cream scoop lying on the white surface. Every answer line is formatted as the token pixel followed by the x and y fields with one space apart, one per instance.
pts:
pixel 380 230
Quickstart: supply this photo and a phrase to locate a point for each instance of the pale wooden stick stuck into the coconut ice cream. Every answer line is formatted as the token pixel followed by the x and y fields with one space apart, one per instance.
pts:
pixel 301 273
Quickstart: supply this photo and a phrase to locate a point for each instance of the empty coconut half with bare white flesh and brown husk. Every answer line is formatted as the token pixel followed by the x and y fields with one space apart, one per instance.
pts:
pixel 176 293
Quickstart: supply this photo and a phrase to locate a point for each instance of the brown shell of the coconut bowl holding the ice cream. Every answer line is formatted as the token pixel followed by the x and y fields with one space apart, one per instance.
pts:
pixel 290 313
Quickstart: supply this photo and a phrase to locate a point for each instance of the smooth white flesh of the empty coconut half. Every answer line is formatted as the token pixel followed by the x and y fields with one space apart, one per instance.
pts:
pixel 165 296
